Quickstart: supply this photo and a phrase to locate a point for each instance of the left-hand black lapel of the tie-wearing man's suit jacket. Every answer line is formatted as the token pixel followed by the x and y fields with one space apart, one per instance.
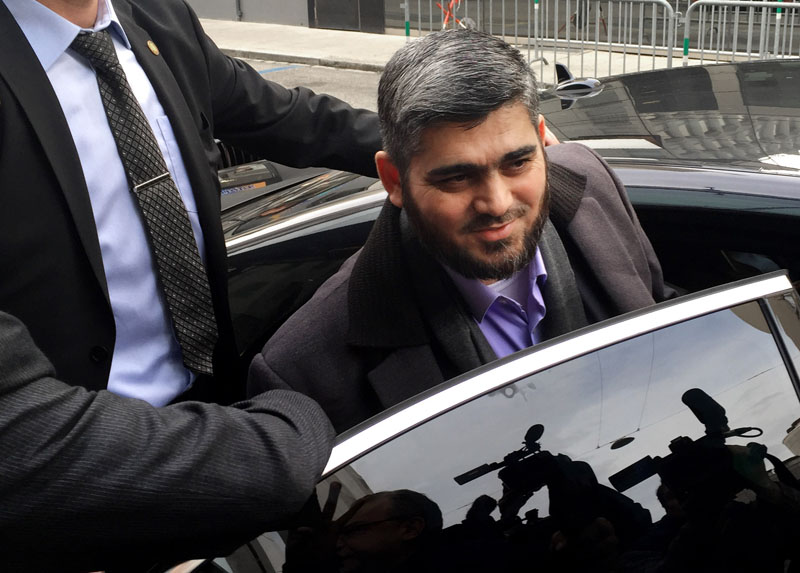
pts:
pixel 28 81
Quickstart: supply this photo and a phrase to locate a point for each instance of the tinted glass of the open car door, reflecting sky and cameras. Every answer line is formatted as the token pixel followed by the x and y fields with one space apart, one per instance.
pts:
pixel 561 429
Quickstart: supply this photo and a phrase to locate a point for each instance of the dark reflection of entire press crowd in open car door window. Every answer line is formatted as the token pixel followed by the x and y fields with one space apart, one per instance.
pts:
pixel 724 512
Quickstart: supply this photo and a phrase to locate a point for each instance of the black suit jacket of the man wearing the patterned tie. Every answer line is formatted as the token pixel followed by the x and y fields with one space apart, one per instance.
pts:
pixel 53 277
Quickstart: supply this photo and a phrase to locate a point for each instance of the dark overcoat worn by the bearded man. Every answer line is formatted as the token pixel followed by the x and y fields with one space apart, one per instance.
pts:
pixel 391 324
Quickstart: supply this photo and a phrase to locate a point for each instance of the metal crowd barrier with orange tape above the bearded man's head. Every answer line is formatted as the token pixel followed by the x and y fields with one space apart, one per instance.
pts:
pixel 592 37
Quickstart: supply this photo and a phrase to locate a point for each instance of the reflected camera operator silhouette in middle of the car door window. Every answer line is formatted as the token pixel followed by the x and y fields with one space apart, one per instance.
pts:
pixel 589 524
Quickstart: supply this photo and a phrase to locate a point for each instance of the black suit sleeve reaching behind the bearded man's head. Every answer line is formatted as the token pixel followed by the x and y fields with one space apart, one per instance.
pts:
pixel 292 126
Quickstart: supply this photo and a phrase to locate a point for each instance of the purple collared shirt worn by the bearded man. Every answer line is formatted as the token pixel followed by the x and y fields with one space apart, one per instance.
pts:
pixel 509 311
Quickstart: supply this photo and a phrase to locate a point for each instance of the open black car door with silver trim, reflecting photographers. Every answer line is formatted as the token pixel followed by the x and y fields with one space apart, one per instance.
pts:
pixel 519 457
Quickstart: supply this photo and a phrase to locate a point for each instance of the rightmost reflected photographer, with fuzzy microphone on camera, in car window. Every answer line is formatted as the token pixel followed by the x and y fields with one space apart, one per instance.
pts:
pixel 737 517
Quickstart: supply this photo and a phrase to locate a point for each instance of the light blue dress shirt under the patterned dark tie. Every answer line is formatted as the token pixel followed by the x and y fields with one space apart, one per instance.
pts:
pixel 147 360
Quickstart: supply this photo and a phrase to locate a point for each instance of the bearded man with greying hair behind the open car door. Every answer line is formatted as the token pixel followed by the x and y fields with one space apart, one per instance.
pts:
pixel 485 246
